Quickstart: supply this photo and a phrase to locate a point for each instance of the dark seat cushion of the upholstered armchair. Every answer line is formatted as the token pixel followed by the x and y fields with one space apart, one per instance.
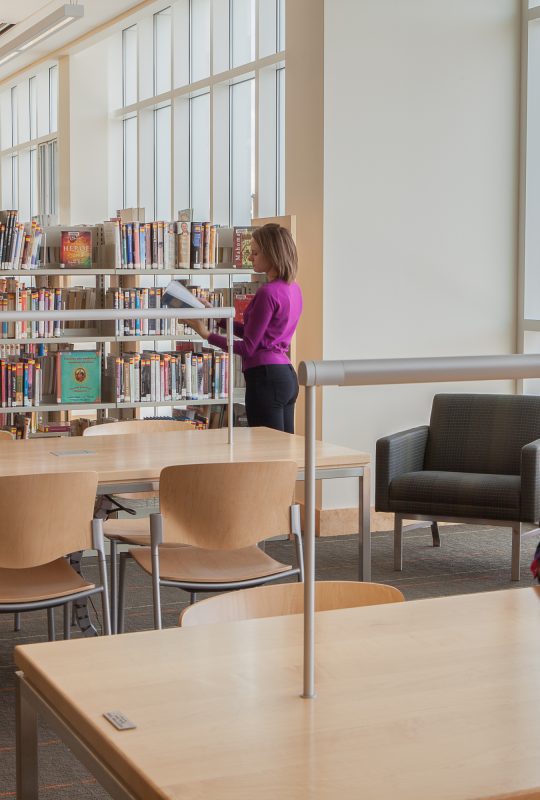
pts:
pixel 456 494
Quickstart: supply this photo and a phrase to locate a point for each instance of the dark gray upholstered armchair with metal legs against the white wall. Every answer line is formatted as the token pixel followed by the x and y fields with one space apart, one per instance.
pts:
pixel 477 461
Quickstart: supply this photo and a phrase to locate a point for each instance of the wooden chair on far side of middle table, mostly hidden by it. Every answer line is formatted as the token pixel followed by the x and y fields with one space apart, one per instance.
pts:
pixel 126 531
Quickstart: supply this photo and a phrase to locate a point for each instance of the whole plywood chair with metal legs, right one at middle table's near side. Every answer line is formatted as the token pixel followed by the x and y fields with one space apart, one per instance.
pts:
pixel 219 512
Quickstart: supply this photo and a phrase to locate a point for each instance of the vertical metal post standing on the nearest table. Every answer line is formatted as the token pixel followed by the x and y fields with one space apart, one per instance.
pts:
pixel 309 547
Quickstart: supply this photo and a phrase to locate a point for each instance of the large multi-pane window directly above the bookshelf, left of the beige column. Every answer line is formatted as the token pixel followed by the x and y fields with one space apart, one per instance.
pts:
pixel 202 113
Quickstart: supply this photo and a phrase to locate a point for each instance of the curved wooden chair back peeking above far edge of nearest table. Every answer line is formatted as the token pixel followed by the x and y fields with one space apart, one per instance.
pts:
pixel 286 598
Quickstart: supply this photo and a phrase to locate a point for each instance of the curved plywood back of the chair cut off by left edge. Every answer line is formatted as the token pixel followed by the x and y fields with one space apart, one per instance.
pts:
pixel 44 517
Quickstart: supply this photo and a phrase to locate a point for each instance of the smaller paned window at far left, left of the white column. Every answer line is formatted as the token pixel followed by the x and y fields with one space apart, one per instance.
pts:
pixel 28 162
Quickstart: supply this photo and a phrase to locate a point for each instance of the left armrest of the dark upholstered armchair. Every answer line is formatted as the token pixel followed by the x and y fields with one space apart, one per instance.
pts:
pixel 401 452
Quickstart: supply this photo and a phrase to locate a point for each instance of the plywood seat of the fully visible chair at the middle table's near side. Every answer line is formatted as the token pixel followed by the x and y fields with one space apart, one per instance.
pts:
pixel 197 565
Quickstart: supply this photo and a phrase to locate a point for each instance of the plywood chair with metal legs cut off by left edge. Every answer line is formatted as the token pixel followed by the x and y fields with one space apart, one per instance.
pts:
pixel 44 518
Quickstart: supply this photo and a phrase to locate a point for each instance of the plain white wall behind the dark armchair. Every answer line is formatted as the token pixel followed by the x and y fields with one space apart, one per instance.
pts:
pixel 420 216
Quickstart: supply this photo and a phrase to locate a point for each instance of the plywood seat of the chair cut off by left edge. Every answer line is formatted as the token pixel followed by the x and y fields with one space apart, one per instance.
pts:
pixel 57 579
